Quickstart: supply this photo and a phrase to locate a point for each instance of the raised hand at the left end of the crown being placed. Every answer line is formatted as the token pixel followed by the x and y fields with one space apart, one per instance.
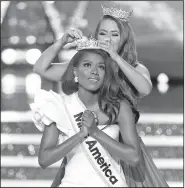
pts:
pixel 71 35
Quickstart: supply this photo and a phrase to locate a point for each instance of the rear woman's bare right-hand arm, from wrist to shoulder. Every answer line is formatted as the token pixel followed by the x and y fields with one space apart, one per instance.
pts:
pixel 137 75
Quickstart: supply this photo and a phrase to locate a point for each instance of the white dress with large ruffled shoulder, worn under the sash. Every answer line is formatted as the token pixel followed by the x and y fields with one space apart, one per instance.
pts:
pixel 78 172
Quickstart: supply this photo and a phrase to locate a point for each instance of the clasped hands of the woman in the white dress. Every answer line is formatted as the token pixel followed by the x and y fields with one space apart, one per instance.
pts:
pixel 89 121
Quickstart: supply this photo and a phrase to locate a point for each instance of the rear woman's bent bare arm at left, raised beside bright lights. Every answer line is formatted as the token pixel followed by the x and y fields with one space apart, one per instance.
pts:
pixel 43 65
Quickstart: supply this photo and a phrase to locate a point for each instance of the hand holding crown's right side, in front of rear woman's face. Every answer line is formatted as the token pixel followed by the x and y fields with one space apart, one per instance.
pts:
pixel 108 46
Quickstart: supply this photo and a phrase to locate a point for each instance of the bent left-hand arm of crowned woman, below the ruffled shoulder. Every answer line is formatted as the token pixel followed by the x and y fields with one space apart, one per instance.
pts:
pixel 50 152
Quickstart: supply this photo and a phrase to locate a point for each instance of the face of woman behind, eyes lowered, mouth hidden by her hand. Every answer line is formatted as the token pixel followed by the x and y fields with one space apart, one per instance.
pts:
pixel 109 30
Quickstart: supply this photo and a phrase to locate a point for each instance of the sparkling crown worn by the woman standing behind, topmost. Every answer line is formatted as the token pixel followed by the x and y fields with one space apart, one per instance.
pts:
pixel 117 13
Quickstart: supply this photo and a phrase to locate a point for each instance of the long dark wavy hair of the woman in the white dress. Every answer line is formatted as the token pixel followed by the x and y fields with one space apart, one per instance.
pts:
pixel 110 93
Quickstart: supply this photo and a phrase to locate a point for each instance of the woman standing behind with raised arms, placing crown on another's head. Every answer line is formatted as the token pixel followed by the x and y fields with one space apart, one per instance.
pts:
pixel 117 38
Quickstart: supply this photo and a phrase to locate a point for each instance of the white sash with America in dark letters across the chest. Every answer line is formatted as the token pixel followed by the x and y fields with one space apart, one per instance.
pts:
pixel 99 158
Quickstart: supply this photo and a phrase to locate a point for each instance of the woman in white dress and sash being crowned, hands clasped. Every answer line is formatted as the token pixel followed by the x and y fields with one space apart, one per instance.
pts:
pixel 82 125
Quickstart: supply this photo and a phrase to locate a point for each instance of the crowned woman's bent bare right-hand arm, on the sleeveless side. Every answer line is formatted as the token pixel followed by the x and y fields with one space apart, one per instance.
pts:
pixel 130 150
